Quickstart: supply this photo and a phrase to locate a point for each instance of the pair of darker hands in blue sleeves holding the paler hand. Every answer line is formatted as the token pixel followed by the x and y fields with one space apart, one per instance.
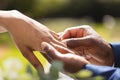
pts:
pixel 84 46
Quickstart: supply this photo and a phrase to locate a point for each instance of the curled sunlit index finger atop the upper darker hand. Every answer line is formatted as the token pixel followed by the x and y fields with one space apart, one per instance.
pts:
pixel 77 32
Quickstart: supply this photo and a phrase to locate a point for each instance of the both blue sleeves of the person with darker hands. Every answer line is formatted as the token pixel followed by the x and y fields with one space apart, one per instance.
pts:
pixel 110 73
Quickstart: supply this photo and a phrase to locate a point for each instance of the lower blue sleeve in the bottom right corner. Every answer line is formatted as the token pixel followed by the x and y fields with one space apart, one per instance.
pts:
pixel 109 73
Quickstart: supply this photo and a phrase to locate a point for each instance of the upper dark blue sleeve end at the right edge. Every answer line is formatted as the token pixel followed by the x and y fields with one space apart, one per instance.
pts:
pixel 116 51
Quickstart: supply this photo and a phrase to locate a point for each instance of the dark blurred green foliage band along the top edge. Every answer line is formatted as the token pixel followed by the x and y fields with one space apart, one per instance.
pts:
pixel 72 8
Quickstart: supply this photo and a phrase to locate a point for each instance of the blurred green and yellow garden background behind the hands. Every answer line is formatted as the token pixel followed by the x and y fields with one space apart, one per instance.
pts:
pixel 102 15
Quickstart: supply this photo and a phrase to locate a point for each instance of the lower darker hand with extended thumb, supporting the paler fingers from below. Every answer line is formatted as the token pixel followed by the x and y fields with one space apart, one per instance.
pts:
pixel 68 59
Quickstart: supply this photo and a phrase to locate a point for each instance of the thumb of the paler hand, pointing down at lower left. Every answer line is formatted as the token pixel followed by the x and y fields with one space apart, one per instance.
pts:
pixel 29 55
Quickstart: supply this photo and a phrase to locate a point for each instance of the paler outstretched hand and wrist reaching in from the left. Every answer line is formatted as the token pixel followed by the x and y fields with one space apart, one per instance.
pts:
pixel 28 34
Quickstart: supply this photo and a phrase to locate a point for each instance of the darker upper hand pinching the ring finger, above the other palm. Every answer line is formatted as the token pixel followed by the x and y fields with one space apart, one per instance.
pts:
pixel 87 43
